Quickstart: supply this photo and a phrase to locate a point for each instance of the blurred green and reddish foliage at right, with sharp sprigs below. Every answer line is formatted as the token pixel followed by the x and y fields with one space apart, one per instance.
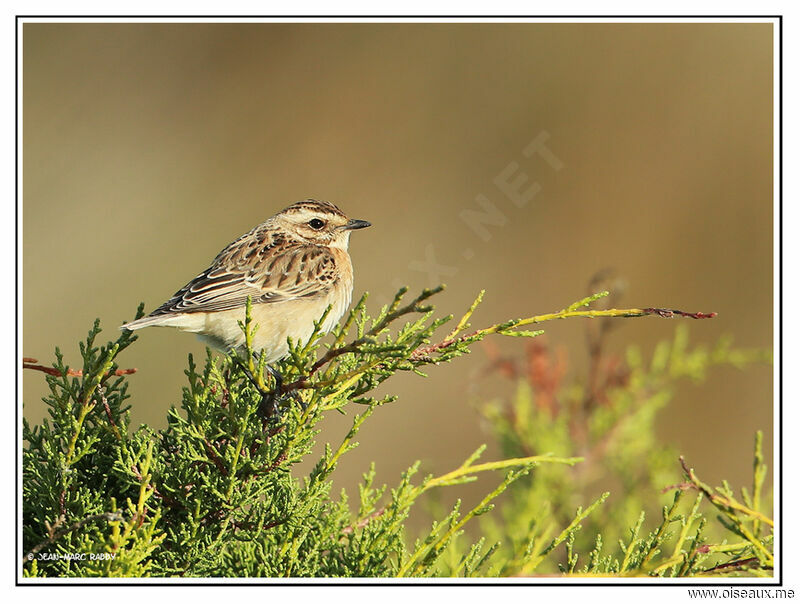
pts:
pixel 610 421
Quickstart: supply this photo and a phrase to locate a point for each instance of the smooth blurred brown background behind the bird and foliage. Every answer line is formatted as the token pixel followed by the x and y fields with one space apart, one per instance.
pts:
pixel 149 147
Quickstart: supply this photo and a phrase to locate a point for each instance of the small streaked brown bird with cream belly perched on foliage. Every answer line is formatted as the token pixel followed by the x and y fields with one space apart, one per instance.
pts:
pixel 291 267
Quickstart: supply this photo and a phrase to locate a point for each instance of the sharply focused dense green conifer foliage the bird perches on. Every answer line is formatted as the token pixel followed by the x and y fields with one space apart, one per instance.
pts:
pixel 213 493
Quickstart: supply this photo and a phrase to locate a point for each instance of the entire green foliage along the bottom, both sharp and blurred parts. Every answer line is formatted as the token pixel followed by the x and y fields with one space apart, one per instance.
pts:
pixel 214 494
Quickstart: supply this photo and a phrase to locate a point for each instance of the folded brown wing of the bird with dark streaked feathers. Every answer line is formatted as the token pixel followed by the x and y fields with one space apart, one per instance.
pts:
pixel 263 266
